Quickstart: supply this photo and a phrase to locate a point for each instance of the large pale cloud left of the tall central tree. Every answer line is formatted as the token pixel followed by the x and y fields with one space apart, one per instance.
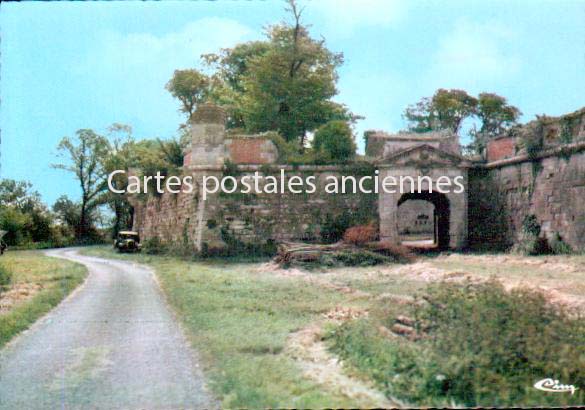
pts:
pixel 128 72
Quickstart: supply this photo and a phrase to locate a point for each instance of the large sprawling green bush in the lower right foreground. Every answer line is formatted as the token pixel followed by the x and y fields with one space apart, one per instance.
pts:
pixel 481 346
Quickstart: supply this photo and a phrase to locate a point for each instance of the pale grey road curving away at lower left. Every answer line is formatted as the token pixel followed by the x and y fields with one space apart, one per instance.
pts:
pixel 112 344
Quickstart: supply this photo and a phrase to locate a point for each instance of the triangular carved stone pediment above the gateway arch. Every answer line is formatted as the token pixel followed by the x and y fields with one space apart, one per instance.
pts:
pixel 424 156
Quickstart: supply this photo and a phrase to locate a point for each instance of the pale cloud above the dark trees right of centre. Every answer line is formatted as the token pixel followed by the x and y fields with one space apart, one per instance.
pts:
pixel 474 57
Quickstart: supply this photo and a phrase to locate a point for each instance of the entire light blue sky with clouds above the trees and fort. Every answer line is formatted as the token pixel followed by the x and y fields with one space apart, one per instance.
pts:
pixel 72 65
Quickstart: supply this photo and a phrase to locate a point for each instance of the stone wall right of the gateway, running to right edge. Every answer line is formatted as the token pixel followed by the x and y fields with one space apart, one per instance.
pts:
pixel 551 187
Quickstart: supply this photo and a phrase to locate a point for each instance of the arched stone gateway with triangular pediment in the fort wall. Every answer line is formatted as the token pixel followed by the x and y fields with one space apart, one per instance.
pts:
pixel 432 162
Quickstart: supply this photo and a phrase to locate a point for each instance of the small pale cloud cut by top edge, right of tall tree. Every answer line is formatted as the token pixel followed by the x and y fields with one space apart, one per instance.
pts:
pixel 345 16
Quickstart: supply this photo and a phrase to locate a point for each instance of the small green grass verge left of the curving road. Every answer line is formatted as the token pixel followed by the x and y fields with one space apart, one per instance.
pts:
pixel 57 278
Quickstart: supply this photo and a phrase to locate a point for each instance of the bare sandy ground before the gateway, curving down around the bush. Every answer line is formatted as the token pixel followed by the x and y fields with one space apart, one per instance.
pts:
pixel 557 277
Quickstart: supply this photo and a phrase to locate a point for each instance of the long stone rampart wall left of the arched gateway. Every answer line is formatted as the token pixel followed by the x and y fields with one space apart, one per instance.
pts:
pixel 252 218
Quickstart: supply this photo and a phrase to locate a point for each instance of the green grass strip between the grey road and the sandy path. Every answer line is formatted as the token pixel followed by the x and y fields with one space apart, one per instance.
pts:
pixel 239 320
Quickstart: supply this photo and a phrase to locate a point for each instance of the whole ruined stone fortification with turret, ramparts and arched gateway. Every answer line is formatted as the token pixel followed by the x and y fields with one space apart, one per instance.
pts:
pixel 499 191
